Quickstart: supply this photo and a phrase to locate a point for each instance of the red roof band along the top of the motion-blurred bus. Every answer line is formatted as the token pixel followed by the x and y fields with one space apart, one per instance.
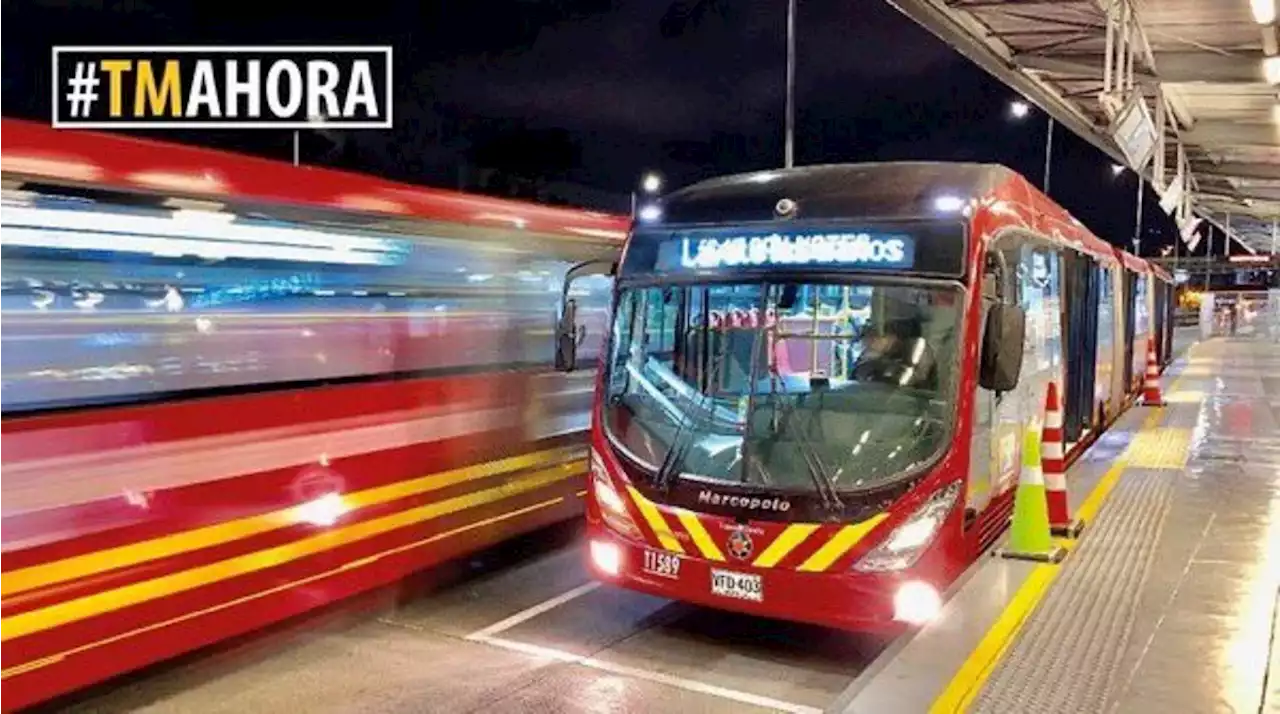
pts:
pixel 38 153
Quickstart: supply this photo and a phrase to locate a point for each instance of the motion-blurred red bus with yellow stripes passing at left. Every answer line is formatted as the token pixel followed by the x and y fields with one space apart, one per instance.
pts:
pixel 236 390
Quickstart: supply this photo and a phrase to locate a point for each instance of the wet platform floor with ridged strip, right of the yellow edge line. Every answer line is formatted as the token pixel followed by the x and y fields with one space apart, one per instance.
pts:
pixel 1171 603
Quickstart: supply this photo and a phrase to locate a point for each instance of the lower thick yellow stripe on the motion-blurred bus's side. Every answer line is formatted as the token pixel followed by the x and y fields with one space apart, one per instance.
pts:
pixel 111 601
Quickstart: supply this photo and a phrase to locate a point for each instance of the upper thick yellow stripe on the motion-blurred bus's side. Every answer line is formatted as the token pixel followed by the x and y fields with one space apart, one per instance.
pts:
pixel 135 553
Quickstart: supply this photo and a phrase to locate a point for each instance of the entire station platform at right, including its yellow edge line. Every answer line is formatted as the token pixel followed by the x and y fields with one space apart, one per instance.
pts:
pixel 1167 602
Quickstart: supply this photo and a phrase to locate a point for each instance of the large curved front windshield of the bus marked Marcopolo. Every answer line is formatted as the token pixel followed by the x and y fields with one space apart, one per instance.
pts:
pixel 796 387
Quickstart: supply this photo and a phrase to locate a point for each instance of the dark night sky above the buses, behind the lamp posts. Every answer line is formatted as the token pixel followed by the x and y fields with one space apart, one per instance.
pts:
pixel 596 91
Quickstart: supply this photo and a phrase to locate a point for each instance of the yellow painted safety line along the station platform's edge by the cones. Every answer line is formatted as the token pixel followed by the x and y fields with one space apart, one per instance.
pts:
pixel 977 669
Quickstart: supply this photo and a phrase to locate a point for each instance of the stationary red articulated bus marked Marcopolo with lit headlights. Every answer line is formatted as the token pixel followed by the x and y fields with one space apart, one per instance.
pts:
pixel 813 392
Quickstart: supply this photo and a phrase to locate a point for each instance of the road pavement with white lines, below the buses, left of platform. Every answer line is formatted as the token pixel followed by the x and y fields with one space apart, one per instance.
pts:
pixel 519 629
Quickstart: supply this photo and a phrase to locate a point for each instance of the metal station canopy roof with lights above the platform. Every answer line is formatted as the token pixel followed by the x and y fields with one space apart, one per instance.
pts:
pixel 1205 74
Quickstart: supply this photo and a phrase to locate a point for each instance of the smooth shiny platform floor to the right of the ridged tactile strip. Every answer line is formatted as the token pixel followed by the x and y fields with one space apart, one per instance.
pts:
pixel 1204 637
